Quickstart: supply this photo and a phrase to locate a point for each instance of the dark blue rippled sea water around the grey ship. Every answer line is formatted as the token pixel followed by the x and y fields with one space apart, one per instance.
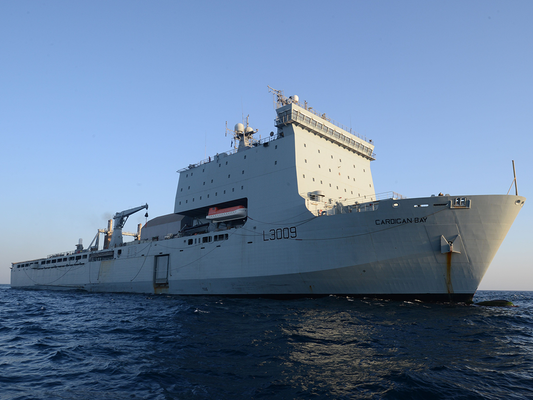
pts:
pixel 75 345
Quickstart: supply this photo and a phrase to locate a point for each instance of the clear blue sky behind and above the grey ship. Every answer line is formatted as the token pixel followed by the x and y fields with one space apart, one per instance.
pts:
pixel 102 101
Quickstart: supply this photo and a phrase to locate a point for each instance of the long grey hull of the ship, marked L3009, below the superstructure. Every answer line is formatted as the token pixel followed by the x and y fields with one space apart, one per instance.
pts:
pixel 428 248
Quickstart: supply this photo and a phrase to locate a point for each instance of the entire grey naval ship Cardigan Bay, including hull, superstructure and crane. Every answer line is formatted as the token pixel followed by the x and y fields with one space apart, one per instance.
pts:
pixel 292 214
